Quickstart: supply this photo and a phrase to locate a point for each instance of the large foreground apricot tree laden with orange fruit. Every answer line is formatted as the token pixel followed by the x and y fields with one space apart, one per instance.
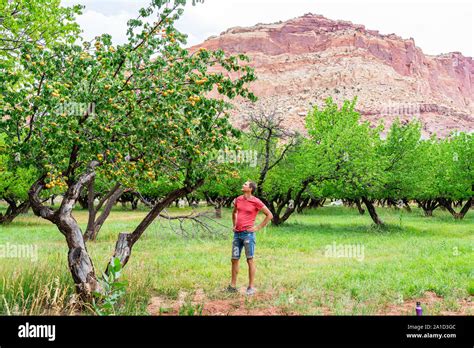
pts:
pixel 141 110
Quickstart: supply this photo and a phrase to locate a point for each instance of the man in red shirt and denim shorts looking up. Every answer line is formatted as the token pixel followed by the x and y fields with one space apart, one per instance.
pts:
pixel 246 208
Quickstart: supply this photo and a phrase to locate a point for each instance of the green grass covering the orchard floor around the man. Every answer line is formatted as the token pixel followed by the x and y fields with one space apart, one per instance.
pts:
pixel 411 256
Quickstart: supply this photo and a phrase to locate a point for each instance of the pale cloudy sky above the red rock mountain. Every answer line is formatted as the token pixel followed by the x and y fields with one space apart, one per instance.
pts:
pixel 437 26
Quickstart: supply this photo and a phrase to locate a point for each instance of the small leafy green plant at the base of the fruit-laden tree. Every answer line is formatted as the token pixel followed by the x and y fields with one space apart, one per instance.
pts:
pixel 105 302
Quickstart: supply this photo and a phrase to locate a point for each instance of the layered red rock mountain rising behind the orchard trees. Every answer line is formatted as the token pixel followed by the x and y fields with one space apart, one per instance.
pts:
pixel 302 61
